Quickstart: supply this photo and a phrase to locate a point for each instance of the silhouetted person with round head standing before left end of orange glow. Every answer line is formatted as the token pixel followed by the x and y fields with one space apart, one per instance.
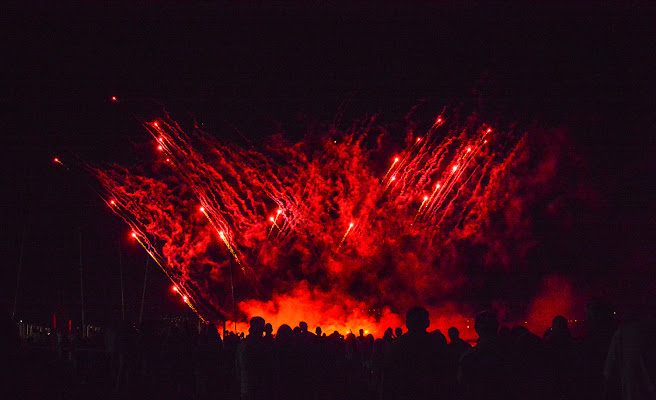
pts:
pixel 254 363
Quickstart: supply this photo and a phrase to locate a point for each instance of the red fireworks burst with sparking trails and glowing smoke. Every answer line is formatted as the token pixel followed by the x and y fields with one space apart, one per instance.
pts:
pixel 346 252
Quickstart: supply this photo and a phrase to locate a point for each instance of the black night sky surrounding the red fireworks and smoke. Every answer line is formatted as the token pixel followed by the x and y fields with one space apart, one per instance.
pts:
pixel 589 68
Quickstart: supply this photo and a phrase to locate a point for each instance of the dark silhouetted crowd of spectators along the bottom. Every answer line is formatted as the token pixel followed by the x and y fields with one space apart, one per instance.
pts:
pixel 184 360
